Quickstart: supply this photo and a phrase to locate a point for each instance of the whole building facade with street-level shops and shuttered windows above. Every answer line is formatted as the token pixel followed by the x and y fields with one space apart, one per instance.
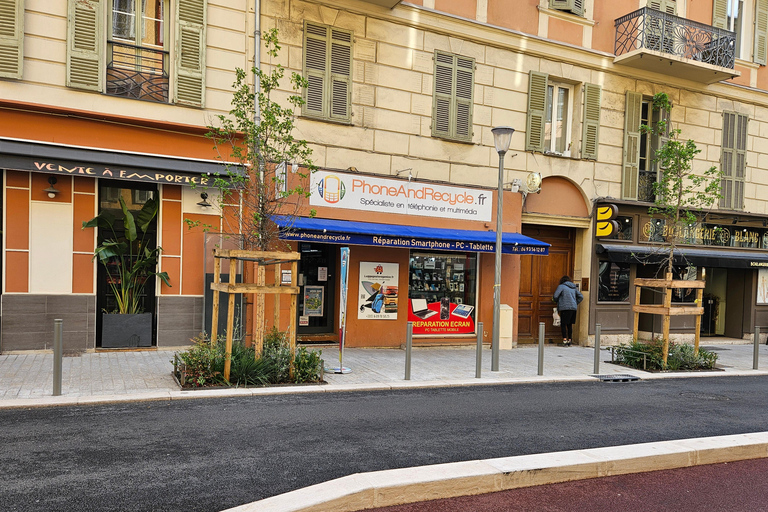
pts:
pixel 400 94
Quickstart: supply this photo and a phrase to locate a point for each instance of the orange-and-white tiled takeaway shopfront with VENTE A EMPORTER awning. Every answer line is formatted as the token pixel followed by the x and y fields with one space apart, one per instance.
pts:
pixel 53 182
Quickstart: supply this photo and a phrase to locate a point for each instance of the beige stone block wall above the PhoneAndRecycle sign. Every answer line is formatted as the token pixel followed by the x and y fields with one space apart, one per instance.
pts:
pixel 392 100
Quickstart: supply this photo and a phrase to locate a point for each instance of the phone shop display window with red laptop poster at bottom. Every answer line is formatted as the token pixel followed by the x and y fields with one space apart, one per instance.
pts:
pixel 442 293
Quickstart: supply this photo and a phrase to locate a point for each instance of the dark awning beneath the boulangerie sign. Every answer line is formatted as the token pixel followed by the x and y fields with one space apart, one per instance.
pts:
pixel 727 258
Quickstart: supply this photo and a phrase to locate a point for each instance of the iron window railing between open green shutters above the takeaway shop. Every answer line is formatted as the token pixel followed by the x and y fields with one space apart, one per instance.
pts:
pixel 137 72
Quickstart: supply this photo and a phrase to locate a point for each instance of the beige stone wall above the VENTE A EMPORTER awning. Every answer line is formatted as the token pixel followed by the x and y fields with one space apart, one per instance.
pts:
pixel 229 45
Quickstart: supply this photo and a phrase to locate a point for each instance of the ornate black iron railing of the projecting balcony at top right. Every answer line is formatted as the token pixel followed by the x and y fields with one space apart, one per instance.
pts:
pixel 654 30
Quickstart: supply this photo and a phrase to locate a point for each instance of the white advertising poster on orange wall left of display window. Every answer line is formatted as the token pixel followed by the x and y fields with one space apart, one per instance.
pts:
pixel 378 291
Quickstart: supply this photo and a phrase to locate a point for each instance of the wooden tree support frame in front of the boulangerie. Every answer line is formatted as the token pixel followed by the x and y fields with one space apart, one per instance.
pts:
pixel 667 309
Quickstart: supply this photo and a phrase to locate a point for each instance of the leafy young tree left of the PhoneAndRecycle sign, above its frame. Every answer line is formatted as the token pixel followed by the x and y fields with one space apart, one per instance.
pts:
pixel 257 135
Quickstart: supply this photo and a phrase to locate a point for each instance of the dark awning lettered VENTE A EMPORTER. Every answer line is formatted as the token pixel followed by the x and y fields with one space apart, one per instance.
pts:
pixel 24 155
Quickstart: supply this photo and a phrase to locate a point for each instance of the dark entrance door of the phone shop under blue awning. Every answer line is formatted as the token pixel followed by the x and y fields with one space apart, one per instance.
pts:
pixel 317 282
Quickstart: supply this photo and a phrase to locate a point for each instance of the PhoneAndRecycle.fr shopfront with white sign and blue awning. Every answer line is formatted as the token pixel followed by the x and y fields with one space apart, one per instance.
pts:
pixel 418 251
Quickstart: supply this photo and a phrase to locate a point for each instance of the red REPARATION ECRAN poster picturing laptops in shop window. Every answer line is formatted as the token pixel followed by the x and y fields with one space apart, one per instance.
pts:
pixel 441 317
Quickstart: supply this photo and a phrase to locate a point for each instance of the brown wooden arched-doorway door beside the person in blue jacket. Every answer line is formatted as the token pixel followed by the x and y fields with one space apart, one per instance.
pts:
pixel 539 276
